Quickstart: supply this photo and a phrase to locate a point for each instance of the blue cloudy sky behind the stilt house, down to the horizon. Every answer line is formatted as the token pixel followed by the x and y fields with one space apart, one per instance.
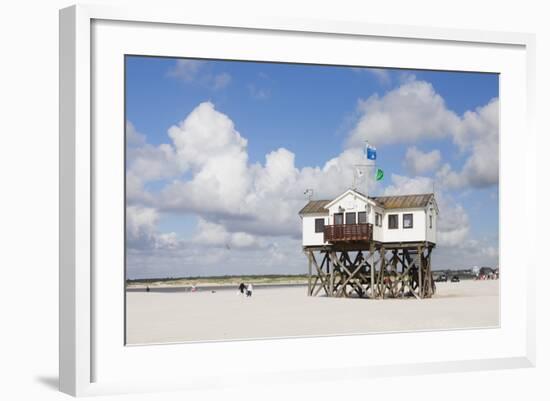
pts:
pixel 219 154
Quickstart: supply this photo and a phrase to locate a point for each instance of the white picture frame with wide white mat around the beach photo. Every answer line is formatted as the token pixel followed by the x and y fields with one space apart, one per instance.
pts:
pixel 88 346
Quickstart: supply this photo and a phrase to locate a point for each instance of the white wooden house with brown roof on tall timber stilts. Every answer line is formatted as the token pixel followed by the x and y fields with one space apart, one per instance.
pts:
pixel 373 247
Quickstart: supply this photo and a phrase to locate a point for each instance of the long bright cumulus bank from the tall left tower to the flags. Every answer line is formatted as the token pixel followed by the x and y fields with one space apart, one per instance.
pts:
pixel 225 188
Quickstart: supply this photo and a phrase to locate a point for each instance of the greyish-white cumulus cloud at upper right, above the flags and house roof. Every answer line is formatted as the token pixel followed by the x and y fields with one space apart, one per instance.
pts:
pixel 415 111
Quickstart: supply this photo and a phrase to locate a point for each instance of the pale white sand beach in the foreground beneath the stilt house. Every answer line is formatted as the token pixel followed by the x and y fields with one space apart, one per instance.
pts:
pixel 158 317
